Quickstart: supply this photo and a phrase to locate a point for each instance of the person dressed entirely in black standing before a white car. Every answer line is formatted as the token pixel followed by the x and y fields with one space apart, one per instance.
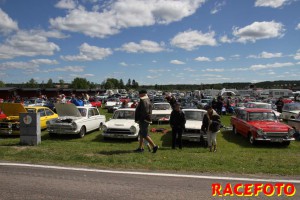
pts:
pixel 177 122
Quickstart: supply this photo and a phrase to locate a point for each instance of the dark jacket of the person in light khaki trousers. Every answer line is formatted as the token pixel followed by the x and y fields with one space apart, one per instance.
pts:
pixel 215 124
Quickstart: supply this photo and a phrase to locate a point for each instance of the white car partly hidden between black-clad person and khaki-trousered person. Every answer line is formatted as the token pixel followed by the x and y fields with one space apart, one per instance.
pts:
pixel 193 125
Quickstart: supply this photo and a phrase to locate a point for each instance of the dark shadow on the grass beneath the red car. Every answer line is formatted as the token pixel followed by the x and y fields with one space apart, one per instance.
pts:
pixel 243 141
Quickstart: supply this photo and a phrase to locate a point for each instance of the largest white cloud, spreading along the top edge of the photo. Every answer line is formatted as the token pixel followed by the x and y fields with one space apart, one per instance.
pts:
pixel 122 14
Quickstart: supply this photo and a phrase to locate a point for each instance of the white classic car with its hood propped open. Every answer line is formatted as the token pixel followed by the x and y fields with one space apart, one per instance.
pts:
pixel 75 120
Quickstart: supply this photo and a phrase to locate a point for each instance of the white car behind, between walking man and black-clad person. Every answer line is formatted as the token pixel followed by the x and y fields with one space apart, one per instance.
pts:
pixel 161 112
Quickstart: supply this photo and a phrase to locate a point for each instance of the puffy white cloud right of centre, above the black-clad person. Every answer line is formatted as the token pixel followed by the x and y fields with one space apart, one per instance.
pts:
pixel 192 39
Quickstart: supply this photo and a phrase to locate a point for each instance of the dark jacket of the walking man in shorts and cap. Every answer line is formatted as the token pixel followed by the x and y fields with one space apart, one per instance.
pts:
pixel 144 110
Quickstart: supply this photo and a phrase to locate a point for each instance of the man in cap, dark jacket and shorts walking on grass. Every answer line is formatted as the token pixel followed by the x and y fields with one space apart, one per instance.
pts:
pixel 143 118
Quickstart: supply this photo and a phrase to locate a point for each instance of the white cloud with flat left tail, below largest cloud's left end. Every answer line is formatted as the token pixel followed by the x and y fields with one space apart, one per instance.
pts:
pixel 89 53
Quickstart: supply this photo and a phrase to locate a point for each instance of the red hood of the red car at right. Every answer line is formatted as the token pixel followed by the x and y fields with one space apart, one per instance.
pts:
pixel 270 126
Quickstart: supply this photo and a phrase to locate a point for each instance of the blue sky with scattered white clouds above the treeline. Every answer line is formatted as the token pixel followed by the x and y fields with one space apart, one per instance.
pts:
pixel 150 41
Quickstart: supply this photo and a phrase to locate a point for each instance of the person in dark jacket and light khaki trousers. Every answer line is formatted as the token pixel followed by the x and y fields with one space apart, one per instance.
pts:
pixel 211 124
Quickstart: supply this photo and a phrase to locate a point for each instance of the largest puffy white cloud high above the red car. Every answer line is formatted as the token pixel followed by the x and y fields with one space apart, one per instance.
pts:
pixel 258 31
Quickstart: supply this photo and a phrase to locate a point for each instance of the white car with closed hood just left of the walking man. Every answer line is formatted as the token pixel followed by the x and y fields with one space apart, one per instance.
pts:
pixel 121 125
